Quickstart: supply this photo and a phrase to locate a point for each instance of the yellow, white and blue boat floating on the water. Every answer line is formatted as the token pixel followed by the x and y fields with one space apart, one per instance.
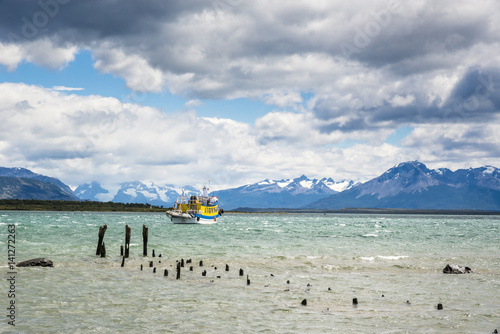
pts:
pixel 197 210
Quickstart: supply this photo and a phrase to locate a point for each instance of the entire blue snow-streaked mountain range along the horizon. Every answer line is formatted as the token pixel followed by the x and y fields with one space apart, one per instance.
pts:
pixel 409 185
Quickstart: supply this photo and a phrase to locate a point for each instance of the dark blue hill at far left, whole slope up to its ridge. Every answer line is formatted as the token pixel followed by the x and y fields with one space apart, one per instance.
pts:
pixel 22 173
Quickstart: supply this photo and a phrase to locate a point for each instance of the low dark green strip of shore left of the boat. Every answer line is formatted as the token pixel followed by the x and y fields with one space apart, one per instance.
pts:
pixel 43 205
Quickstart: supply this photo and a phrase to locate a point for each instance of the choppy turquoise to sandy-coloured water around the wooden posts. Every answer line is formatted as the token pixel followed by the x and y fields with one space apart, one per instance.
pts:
pixel 392 265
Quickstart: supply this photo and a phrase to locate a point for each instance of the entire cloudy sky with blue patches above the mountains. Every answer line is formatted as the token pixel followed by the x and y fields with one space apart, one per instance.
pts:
pixel 232 91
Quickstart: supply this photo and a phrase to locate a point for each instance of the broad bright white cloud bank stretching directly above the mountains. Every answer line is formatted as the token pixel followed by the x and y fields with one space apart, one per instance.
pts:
pixel 85 138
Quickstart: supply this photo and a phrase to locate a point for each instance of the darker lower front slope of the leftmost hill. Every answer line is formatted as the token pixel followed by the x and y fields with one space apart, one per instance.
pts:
pixel 26 188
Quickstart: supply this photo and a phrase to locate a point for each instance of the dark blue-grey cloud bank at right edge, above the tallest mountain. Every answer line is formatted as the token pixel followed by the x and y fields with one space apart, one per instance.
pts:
pixel 475 98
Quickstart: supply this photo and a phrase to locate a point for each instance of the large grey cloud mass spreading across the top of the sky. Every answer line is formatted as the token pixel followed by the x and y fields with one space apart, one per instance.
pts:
pixel 224 49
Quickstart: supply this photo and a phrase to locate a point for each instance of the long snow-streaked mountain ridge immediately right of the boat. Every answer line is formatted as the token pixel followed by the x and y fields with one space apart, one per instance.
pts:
pixel 286 193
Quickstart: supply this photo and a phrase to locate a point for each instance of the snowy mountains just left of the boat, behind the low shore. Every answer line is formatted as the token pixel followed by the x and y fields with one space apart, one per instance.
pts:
pixel 139 192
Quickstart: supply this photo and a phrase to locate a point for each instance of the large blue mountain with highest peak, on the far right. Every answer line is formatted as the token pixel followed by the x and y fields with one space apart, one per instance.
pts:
pixel 411 185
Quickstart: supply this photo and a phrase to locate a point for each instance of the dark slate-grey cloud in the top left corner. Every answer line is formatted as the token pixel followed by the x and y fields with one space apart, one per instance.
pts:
pixel 83 21
